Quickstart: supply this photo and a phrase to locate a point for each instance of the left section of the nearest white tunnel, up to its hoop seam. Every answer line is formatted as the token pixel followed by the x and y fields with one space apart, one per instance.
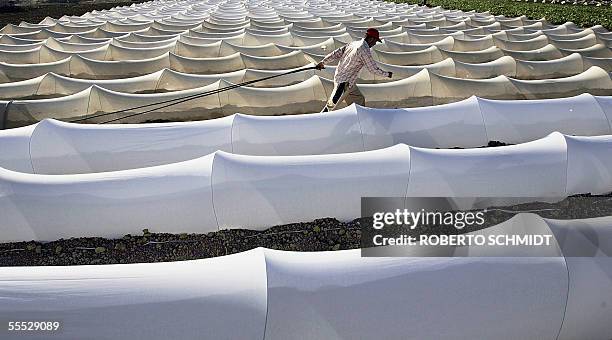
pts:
pixel 185 300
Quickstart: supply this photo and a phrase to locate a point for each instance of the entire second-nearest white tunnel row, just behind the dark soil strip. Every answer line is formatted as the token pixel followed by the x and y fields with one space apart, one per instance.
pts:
pixel 224 190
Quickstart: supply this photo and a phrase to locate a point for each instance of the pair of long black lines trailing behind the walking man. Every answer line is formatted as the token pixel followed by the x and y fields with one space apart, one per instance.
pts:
pixel 179 100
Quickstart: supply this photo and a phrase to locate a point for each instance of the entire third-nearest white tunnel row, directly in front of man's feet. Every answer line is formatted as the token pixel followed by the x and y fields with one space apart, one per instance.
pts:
pixel 54 147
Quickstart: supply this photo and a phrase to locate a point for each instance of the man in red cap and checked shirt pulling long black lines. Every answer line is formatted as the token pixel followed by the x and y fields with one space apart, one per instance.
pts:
pixel 352 58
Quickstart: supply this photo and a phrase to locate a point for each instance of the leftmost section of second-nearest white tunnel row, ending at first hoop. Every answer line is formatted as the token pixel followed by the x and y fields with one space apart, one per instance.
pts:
pixel 115 200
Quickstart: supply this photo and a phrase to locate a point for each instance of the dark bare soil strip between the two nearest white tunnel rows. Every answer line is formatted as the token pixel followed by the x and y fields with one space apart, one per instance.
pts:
pixel 318 235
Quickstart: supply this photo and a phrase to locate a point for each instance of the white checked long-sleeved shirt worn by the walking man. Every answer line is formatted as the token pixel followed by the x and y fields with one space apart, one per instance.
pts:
pixel 353 57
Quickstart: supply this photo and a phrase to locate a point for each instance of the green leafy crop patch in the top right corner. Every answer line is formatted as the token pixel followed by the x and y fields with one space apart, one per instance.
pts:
pixel 582 15
